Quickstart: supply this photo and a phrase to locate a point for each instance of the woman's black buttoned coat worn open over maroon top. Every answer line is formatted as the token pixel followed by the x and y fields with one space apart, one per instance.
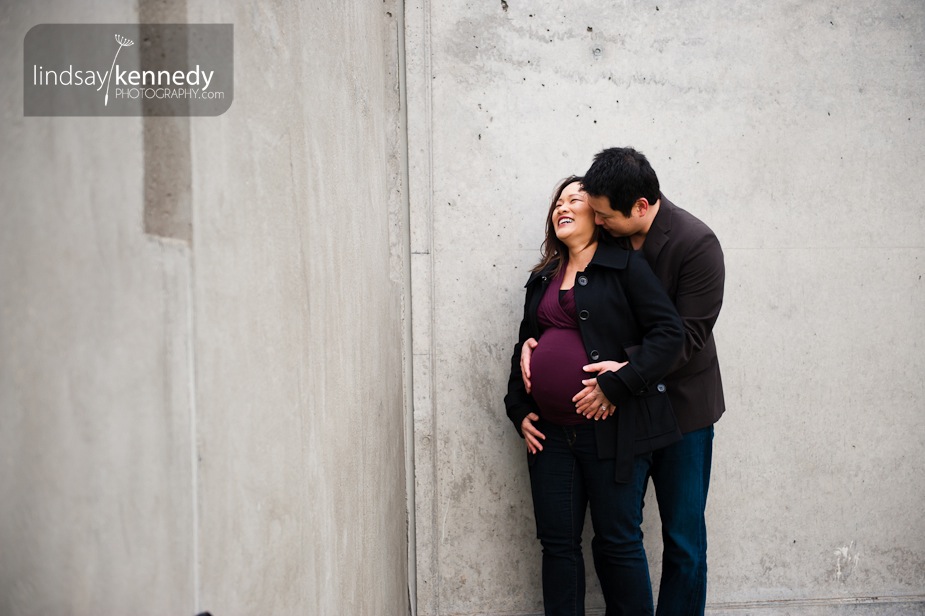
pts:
pixel 623 314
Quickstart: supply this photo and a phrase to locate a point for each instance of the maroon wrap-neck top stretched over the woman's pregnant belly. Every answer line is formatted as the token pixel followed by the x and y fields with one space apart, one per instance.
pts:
pixel 556 362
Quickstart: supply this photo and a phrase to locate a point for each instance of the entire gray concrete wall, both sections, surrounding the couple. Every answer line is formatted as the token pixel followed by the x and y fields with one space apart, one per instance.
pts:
pixel 216 419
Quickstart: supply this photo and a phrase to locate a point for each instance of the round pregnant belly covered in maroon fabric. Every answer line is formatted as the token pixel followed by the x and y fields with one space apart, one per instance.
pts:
pixel 556 374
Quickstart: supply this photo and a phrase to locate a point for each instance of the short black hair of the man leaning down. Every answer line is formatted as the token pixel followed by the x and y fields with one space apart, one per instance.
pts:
pixel 623 175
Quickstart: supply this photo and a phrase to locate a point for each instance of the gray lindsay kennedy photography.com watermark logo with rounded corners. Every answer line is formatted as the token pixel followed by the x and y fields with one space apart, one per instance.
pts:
pixel 128 69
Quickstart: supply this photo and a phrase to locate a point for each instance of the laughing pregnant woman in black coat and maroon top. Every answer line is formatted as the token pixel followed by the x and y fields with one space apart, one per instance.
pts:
pixel 606 333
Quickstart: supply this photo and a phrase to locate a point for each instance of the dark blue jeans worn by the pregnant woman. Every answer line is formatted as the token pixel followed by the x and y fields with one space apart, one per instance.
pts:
pixel 565 478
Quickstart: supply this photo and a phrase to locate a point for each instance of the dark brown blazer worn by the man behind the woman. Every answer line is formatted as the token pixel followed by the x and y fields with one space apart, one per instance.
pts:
pixel 687 258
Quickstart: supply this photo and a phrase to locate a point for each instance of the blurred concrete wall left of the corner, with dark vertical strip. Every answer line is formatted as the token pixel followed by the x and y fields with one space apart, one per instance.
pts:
pixel 217 422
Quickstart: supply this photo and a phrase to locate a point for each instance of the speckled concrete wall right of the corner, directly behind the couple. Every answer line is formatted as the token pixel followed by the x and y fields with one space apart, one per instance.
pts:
pixel 795 130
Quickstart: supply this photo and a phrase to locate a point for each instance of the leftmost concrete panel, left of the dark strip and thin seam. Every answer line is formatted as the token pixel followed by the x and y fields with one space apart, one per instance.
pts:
pixel 95 402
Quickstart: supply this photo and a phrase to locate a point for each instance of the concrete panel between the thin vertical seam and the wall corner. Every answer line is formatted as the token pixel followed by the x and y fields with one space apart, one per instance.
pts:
pixel 298 292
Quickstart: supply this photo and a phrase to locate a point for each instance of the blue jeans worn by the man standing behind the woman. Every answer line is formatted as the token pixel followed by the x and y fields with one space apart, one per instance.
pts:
pixel 681 476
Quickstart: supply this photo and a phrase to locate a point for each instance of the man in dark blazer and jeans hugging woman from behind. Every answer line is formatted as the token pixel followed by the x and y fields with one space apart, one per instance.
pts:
pixel 623 190
